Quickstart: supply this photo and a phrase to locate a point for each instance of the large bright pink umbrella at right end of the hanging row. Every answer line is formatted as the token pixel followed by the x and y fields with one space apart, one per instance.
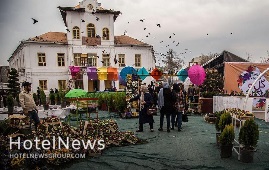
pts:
pixel 197 74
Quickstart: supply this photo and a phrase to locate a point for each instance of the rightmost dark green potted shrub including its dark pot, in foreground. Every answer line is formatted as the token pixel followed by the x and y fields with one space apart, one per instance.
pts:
pixel 248 137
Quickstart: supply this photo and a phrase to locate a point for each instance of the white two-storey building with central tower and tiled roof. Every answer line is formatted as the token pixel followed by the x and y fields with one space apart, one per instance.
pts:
pixel 89 41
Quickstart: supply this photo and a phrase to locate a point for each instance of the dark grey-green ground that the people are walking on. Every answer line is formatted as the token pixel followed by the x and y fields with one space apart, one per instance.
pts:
pixel 193 148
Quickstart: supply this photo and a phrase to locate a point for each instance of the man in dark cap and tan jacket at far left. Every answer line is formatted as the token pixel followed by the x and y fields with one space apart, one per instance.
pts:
pixel 28 104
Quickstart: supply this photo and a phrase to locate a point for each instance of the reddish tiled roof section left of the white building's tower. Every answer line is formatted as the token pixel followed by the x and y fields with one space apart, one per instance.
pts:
pixel 56 37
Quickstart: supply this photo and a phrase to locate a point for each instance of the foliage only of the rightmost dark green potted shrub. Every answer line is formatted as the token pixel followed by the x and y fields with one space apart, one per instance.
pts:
pixel 249 134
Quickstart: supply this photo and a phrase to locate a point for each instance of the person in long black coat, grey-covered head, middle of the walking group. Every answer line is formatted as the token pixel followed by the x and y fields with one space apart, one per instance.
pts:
pixel 166 102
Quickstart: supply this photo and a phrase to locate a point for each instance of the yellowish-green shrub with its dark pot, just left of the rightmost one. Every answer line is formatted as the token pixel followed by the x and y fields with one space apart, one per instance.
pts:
pixel 226 141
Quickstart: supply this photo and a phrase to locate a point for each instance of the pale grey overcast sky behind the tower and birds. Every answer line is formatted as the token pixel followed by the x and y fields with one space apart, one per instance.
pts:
pixel 199 26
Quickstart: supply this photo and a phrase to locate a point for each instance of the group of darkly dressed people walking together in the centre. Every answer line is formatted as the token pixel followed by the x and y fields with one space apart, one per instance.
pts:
pixel 171 100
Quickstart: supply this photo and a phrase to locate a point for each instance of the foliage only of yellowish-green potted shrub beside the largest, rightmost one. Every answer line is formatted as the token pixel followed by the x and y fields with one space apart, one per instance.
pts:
pixel 227 135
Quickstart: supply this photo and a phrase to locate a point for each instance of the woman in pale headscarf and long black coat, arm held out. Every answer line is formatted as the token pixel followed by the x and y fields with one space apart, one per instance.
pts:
pixel 145 101
